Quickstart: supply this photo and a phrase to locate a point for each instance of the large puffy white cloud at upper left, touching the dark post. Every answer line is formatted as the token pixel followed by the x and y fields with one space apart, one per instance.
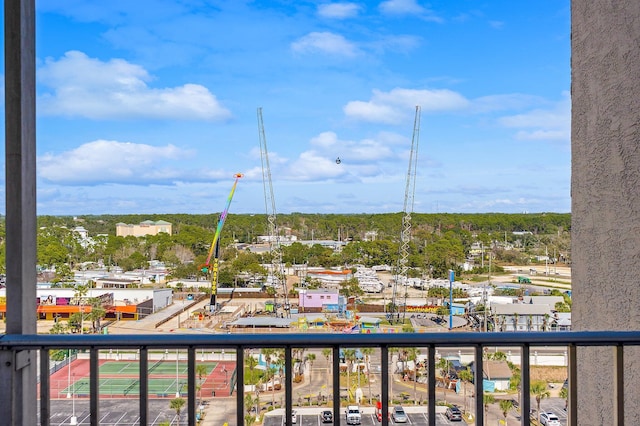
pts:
pixel 88 87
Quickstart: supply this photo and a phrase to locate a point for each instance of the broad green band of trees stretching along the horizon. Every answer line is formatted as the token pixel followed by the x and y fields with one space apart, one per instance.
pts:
pixel 438 241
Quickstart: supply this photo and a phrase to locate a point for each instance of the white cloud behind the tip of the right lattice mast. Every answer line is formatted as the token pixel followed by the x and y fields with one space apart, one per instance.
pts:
pixel 392 107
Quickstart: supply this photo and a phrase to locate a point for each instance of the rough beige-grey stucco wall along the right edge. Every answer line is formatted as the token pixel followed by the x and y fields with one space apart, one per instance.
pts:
pixel 605 188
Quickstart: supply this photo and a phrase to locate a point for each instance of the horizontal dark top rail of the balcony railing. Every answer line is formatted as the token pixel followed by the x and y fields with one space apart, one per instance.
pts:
pixel 175 341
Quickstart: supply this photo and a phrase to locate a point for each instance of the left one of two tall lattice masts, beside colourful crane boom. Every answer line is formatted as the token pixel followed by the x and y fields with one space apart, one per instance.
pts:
pixel 277 268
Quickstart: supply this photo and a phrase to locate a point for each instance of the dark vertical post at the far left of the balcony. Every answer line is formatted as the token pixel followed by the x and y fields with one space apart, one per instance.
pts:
pixel 18 371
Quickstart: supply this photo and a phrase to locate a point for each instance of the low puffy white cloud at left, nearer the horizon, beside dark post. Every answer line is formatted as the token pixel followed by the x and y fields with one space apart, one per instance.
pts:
pixel 105 161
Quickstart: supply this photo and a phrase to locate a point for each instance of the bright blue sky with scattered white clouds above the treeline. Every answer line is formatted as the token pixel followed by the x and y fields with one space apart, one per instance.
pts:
pixel 150 106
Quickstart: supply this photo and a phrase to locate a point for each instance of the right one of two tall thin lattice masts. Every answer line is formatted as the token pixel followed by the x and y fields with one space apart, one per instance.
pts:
pixel 405 235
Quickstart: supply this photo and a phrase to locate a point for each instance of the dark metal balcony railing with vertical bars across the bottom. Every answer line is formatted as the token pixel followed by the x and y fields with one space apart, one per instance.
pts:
pixel 571 341
